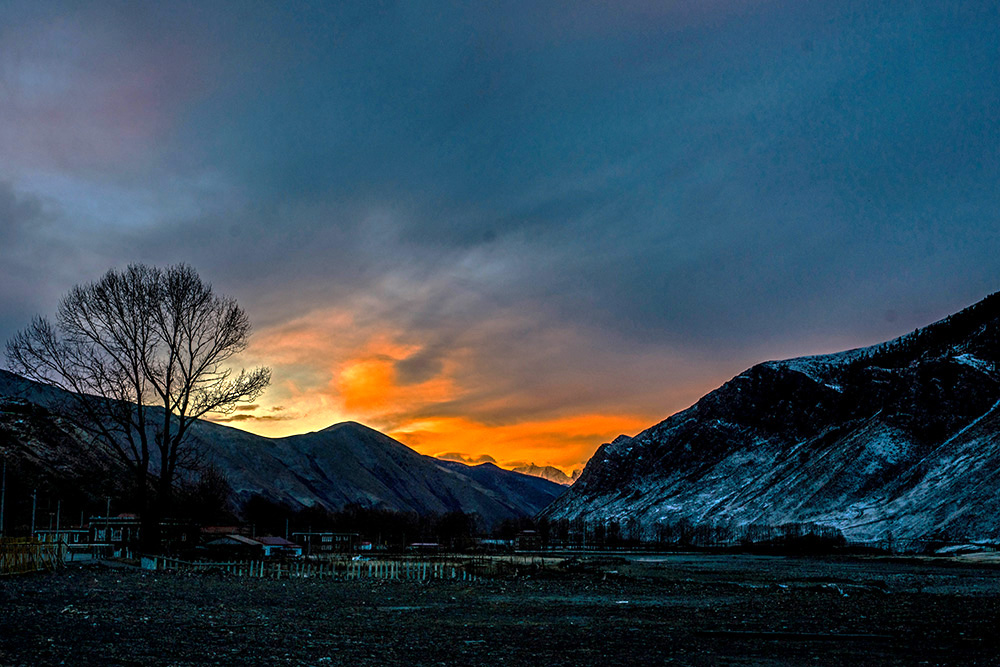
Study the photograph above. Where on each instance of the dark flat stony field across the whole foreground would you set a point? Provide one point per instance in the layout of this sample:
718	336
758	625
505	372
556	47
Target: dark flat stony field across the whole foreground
695	610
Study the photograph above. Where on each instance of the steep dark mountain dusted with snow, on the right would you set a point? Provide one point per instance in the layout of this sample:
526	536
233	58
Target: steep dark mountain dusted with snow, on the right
895	441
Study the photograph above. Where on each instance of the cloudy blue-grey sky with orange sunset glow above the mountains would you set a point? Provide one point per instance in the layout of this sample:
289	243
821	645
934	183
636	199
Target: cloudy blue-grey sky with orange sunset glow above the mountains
508	229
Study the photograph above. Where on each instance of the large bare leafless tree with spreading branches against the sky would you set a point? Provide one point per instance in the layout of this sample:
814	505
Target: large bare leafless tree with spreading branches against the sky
143	354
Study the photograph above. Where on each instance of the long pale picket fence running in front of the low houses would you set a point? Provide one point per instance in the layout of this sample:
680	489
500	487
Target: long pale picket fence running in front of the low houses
324	569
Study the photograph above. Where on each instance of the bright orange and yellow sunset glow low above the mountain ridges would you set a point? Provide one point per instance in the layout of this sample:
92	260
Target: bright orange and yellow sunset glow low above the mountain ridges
332	366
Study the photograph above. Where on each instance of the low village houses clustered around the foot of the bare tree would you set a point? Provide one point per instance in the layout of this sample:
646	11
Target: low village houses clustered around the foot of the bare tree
116	536
